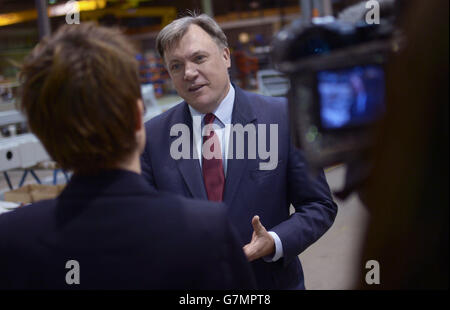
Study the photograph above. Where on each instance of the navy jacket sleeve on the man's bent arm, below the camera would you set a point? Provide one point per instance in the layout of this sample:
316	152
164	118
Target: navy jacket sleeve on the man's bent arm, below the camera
315	209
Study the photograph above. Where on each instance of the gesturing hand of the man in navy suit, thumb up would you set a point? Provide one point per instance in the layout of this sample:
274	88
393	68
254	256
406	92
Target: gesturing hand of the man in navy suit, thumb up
262	243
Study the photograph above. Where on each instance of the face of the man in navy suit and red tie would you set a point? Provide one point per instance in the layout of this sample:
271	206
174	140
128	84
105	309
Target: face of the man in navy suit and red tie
199	69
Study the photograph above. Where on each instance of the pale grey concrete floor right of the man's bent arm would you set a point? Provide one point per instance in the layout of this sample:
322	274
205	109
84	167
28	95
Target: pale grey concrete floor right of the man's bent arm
332	263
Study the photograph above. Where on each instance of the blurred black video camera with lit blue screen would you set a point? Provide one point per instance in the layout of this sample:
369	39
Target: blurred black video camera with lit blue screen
337	76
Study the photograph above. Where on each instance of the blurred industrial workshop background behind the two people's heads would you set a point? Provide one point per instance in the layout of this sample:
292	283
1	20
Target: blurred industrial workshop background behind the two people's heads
249	25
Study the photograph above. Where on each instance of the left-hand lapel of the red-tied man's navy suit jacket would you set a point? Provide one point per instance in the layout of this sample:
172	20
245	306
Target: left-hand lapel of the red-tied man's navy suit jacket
190	168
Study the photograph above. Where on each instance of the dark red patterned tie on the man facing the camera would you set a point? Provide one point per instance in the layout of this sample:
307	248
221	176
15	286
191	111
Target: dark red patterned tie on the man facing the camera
212	169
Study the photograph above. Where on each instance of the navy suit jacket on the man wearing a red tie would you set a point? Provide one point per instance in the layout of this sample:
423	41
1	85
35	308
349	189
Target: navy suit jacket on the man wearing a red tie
248	190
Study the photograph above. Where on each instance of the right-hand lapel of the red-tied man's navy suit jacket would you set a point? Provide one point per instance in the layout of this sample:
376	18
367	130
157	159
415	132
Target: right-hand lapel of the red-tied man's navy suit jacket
242	114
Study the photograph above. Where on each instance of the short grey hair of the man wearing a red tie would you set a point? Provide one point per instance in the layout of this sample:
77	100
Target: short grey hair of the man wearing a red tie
170	35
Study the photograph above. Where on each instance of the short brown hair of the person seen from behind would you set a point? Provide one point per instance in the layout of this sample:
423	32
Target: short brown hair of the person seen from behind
80	89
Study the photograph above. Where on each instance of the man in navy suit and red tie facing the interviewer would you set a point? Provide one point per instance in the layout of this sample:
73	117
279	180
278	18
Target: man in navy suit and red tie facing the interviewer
217	120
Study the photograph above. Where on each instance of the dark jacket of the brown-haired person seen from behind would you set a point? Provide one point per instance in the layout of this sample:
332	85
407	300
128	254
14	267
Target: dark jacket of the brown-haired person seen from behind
124	236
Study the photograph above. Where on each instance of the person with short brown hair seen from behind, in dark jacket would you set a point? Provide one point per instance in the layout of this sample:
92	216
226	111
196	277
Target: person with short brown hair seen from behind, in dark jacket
108	229
